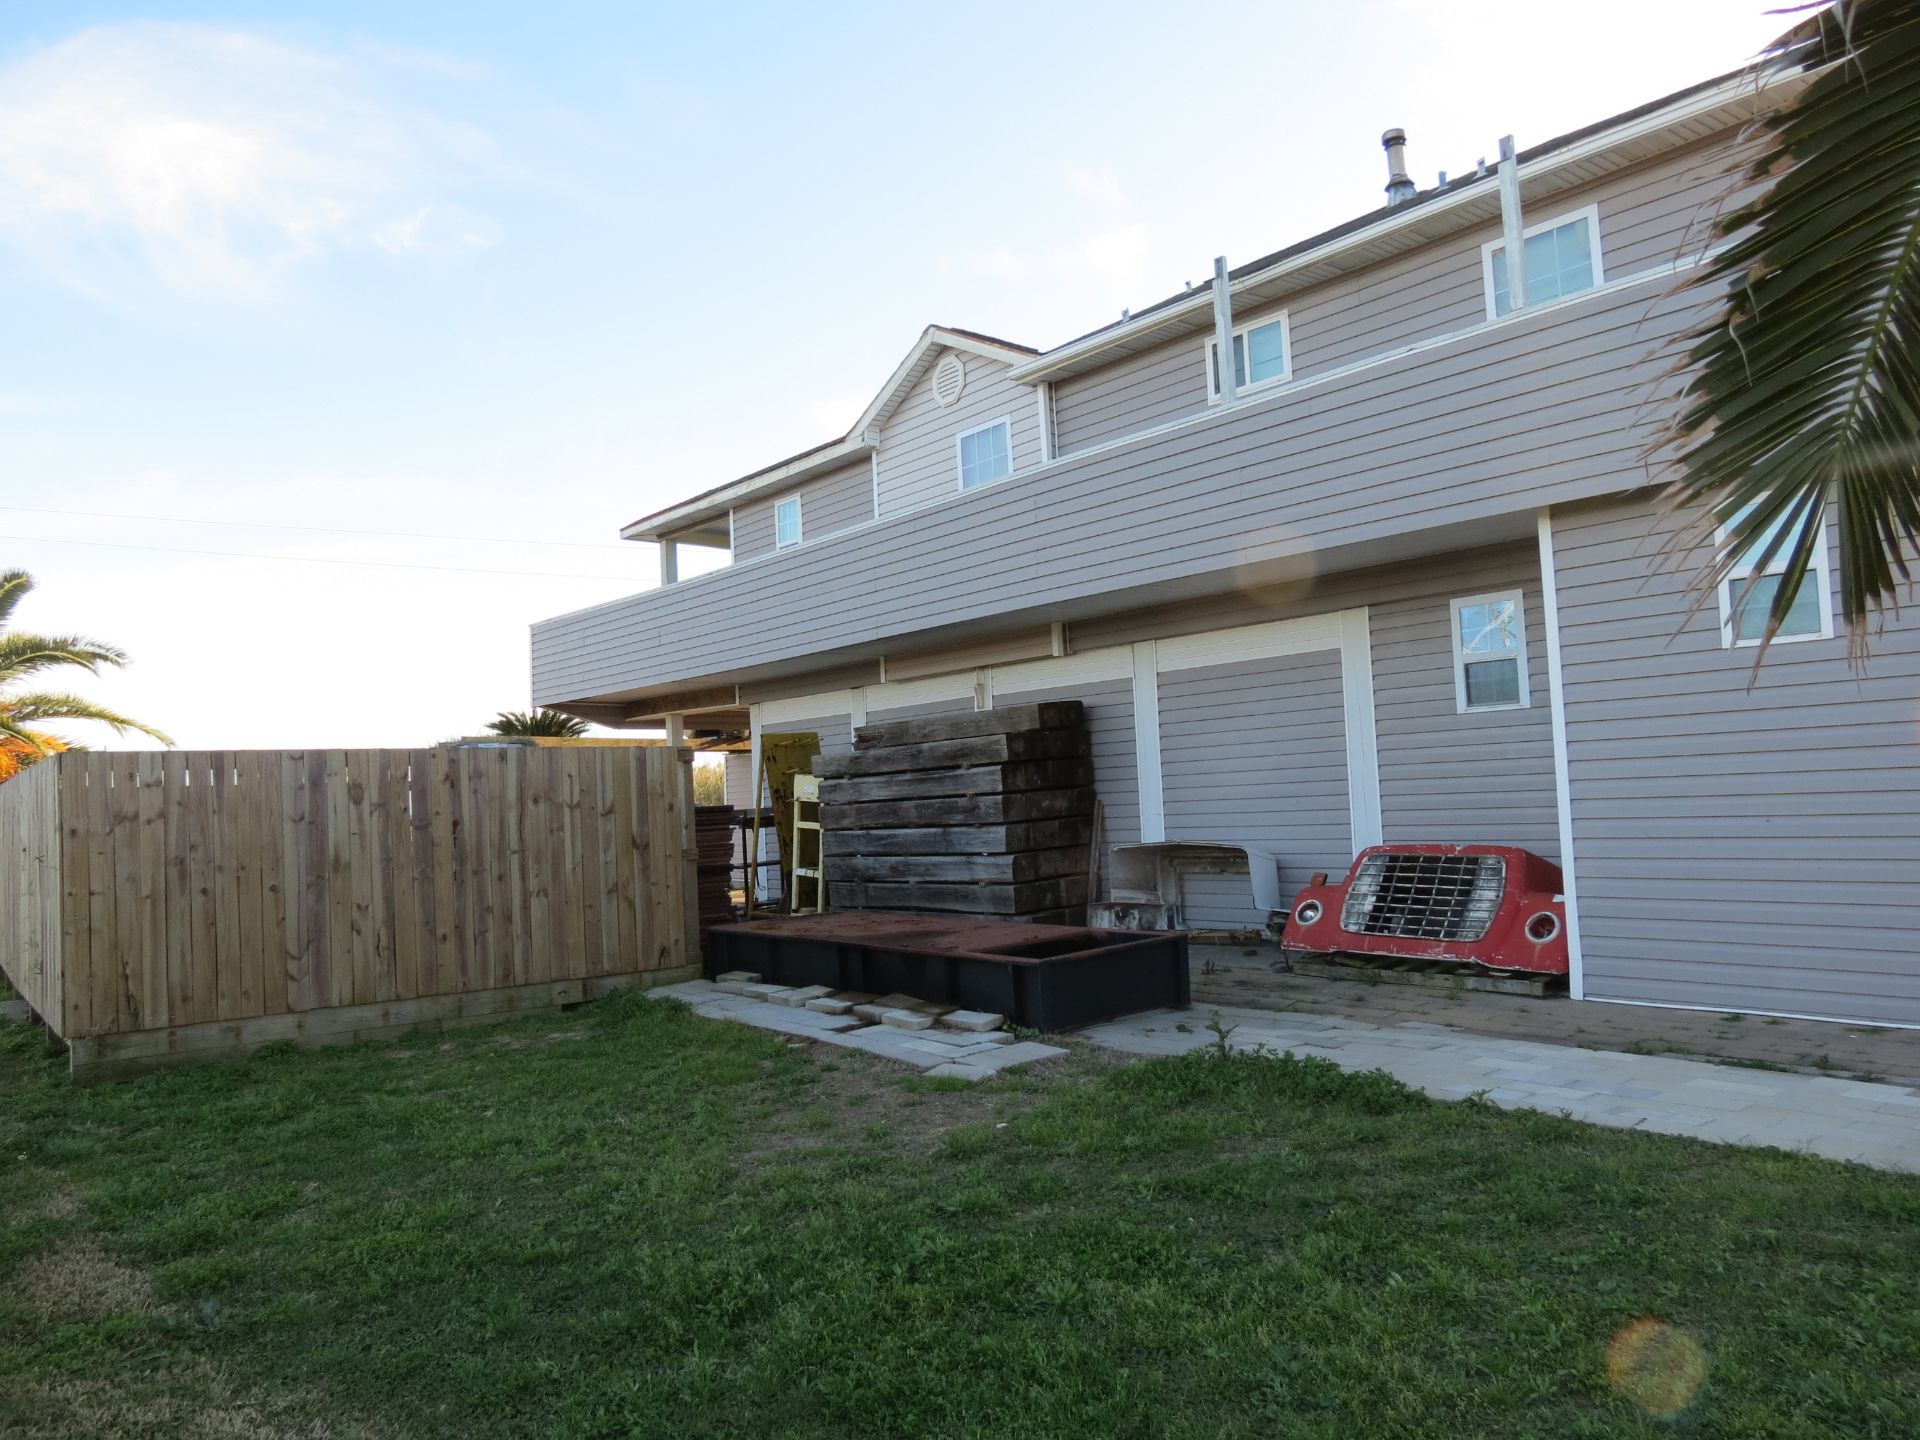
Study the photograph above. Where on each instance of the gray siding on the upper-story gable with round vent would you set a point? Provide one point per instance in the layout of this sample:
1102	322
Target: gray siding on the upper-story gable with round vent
919	444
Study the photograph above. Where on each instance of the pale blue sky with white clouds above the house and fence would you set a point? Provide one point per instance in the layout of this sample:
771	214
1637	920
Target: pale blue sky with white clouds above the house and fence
521	274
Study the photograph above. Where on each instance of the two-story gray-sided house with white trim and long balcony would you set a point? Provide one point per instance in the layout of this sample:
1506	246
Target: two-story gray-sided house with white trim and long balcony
1360	542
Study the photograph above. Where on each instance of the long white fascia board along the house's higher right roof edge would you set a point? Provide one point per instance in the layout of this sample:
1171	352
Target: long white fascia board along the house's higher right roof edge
1740	87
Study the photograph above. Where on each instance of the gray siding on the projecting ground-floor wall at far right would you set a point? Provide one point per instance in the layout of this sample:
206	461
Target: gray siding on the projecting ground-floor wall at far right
1742	850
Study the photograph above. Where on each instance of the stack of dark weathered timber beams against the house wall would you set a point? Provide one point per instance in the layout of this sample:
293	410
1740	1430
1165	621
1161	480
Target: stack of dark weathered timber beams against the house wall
986	813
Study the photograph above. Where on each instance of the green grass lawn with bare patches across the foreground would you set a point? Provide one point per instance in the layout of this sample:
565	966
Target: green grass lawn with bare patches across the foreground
636	1222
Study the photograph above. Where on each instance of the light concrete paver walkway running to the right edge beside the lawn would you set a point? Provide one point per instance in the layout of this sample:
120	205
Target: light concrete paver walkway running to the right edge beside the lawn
1836	1118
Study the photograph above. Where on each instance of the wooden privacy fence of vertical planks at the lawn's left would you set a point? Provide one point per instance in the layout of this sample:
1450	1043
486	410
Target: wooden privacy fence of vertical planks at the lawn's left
164	892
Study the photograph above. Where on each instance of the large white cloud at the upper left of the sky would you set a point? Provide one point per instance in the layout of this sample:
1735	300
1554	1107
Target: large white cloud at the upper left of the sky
214	162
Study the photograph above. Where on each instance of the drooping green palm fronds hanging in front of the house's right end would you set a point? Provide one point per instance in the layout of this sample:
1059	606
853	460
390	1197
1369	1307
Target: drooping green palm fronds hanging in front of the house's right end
1806	381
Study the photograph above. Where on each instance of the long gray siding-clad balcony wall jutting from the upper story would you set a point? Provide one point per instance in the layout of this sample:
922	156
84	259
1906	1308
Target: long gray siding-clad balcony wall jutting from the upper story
1547	408
